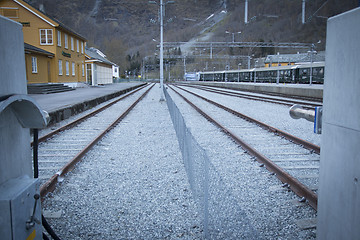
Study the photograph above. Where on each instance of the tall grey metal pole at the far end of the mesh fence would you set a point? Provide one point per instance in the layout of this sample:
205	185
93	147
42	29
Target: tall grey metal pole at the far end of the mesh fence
162	6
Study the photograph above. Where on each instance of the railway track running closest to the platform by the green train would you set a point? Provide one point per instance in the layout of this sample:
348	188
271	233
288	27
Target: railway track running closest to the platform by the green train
307	104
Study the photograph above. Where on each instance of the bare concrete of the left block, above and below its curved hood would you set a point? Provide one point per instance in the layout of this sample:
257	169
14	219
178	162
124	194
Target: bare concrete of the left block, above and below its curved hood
13	137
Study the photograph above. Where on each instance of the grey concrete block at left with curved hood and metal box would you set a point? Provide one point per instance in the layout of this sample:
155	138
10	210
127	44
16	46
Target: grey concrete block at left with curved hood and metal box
20	211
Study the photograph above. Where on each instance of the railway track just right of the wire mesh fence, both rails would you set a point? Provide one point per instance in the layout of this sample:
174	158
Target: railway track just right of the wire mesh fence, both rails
296	165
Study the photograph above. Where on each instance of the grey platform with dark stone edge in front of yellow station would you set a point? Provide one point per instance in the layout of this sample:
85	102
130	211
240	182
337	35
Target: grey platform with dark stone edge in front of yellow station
61	106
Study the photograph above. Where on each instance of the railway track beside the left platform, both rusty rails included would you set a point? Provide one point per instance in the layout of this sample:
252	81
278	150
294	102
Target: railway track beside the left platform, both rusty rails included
59	150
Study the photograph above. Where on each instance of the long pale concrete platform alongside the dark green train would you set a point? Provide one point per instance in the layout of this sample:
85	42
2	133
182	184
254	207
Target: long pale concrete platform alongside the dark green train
301	90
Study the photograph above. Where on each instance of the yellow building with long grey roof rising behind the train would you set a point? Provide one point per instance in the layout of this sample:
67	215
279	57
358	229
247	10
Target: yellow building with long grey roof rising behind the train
291	59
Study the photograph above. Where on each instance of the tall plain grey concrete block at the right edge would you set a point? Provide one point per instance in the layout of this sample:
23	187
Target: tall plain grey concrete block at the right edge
339	191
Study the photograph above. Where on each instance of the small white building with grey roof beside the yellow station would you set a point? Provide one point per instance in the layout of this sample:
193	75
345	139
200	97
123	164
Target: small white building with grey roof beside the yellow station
98	68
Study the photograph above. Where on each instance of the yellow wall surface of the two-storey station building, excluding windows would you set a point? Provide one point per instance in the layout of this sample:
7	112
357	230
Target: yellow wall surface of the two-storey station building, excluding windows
33	22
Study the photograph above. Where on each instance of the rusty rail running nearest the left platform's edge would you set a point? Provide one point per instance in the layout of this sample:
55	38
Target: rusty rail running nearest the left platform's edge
83	118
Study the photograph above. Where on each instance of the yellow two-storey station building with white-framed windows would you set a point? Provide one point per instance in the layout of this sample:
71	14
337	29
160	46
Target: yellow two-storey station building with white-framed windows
57	53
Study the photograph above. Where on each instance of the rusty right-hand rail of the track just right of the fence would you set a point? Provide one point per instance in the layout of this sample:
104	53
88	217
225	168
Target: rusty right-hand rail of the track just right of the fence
290	137
